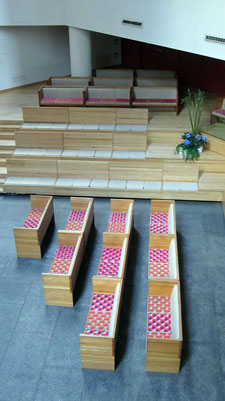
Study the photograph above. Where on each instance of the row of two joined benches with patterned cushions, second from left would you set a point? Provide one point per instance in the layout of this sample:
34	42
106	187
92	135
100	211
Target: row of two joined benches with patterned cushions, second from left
59	283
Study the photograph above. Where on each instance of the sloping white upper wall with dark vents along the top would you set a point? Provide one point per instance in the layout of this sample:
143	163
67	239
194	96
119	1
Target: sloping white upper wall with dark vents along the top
172	23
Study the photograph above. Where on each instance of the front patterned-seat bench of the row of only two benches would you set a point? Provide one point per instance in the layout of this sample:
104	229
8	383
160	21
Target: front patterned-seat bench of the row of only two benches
59	283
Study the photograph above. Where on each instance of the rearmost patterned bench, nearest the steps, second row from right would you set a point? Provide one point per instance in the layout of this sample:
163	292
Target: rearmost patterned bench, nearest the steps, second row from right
121	216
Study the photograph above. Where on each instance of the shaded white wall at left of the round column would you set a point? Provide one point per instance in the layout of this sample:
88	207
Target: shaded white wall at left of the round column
32	54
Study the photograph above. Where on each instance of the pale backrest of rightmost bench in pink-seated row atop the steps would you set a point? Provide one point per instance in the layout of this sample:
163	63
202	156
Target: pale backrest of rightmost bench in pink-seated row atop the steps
155	92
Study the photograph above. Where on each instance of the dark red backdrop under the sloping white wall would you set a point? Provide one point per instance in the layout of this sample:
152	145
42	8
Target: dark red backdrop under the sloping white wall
202	72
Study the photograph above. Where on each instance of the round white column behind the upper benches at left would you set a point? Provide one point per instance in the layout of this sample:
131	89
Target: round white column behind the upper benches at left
80	52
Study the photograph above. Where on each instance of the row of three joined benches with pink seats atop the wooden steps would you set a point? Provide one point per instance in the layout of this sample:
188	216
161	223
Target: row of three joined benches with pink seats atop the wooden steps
164	97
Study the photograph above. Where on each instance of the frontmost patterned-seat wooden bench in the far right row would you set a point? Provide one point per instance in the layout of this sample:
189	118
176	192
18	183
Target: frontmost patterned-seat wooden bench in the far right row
164	327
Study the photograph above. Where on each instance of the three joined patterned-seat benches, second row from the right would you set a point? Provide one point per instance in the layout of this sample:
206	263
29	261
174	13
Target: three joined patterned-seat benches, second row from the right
98	343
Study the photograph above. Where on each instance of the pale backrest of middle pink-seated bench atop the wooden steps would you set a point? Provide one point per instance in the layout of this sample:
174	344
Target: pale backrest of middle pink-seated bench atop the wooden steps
107	92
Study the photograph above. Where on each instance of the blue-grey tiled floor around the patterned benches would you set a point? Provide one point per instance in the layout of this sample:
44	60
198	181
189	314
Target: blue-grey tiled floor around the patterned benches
39	345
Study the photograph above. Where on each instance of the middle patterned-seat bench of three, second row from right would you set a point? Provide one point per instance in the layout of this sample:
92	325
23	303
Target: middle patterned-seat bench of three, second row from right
114	255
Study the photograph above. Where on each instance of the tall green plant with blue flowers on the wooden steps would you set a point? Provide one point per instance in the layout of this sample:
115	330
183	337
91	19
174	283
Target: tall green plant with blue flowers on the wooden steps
194	142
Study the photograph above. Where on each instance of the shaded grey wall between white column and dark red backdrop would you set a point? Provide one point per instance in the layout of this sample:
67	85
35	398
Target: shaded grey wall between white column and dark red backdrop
106	50
